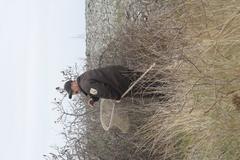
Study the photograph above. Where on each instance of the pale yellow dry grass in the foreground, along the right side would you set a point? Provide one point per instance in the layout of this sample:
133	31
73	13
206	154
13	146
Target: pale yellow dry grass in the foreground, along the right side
206	125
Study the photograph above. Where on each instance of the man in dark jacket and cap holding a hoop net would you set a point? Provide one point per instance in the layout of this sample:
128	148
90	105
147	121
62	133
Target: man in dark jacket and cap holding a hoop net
108	82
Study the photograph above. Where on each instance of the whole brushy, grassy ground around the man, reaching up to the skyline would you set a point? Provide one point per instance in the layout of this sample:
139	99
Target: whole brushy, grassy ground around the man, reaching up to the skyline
195	44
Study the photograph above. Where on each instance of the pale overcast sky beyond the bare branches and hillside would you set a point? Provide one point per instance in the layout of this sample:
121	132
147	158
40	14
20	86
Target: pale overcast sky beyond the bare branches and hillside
36	43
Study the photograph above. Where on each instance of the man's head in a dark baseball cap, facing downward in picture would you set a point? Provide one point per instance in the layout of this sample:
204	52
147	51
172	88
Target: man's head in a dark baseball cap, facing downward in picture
72	88
